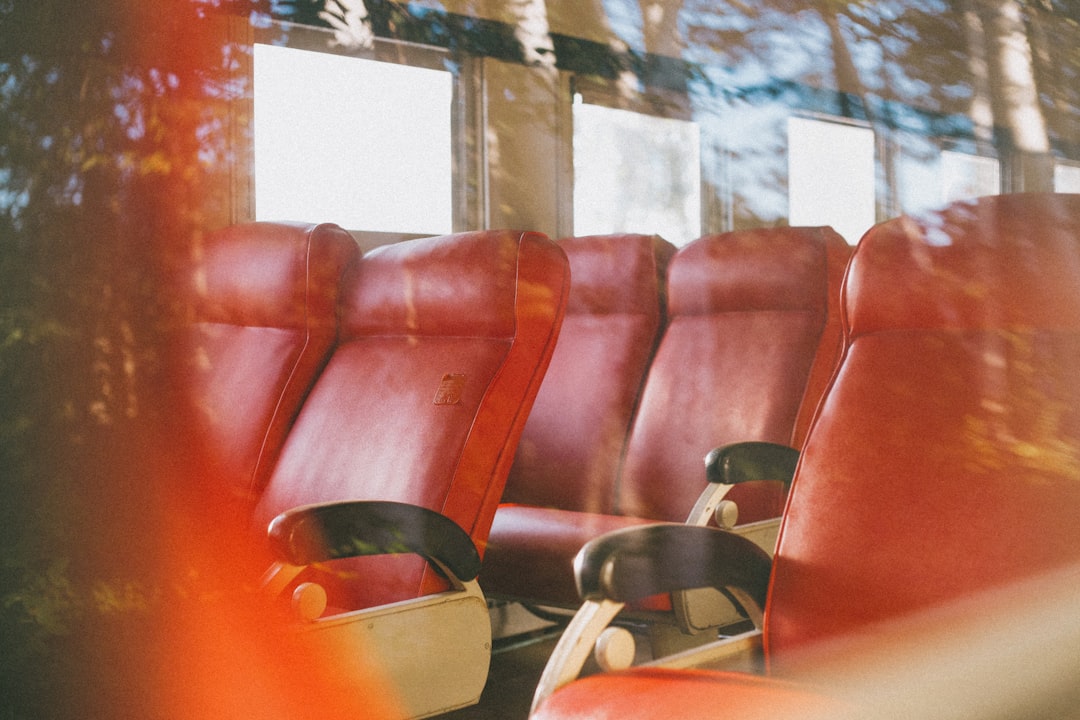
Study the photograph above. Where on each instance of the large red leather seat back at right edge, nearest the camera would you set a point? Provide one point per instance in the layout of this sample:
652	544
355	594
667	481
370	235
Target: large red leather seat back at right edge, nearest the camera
946	458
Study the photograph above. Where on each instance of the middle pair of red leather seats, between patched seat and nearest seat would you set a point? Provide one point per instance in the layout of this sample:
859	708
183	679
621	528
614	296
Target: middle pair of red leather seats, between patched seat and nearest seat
665	356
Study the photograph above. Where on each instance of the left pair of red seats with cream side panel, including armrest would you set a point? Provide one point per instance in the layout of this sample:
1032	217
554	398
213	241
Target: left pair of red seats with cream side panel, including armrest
359	416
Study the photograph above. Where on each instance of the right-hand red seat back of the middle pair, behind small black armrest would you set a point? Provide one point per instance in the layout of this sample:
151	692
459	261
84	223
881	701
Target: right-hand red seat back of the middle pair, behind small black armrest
746	315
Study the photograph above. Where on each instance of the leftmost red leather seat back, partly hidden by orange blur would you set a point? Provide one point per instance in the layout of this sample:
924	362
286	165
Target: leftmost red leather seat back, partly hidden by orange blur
261	301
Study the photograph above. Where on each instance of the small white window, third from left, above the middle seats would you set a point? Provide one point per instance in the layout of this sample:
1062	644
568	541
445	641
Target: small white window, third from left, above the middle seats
831	176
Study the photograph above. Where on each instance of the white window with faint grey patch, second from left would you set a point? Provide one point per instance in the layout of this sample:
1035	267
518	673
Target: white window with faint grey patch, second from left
636	173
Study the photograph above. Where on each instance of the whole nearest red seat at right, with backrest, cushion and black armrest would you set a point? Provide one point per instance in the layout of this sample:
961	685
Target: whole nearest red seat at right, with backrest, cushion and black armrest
943	465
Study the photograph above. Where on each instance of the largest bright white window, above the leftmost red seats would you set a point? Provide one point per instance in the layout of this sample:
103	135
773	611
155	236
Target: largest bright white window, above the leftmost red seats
357	142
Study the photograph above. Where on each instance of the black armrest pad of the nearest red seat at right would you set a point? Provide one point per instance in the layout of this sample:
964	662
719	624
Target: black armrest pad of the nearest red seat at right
634	563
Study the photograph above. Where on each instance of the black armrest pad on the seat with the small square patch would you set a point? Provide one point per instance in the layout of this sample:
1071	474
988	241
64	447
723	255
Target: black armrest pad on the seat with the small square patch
330	532
